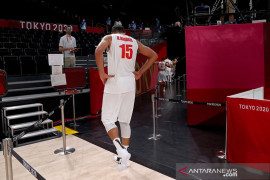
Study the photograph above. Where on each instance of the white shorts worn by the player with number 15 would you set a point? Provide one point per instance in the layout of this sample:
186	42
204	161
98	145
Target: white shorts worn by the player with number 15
117	106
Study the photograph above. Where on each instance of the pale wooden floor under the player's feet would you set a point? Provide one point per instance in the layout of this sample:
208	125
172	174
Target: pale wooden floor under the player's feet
88	162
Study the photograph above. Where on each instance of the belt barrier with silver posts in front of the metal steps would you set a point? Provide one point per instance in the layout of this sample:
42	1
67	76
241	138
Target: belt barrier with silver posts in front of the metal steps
8	151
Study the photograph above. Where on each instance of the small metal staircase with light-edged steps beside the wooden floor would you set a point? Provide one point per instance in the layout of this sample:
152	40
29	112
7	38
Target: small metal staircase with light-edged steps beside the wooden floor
16	119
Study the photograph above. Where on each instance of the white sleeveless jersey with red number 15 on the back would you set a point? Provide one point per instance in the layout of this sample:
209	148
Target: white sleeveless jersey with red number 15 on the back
121	59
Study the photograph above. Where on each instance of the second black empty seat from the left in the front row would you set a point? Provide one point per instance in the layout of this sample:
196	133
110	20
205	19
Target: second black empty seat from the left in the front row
28	65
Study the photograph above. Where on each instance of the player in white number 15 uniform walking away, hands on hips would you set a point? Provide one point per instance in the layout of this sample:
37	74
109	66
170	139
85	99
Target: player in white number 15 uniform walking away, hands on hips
120	86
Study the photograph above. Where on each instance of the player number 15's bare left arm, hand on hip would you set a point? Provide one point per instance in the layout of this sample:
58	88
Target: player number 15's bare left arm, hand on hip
104	44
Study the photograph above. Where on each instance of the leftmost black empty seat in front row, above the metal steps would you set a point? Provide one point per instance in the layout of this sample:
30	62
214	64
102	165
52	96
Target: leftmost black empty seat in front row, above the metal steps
12	65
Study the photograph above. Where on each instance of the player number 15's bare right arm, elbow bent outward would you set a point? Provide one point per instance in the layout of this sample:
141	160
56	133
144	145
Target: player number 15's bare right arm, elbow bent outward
150	54
